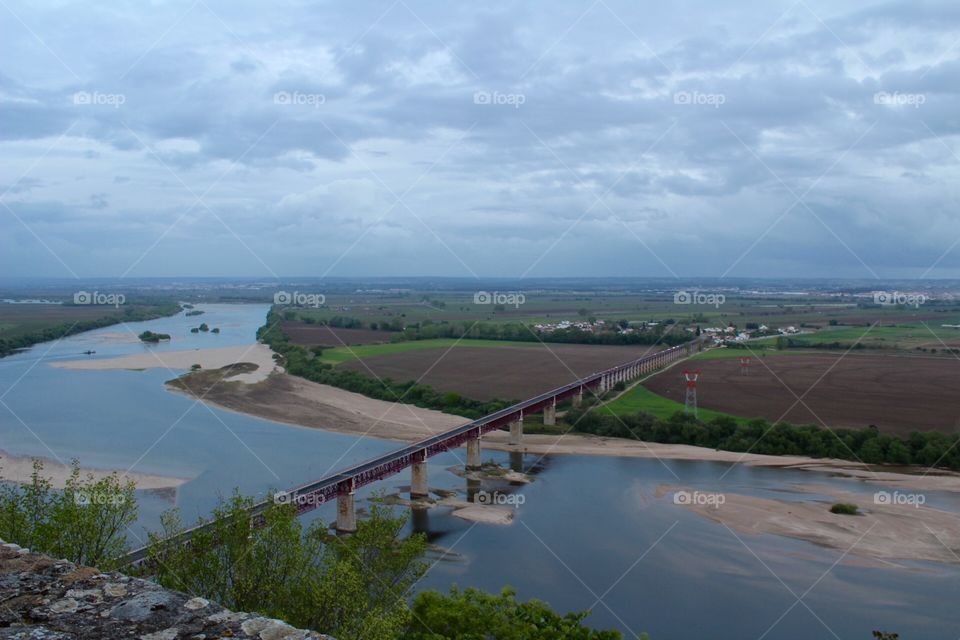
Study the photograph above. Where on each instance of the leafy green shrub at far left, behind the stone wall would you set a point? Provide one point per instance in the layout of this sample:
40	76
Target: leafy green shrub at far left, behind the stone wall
86	522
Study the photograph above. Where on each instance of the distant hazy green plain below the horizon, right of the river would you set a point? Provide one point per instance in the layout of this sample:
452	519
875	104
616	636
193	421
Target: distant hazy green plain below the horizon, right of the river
812	309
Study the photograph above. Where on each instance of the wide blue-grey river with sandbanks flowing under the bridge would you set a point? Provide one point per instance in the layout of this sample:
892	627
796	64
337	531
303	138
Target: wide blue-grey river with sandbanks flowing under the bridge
590	534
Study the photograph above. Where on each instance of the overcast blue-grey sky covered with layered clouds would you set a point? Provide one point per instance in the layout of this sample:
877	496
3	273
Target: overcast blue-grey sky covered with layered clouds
742	138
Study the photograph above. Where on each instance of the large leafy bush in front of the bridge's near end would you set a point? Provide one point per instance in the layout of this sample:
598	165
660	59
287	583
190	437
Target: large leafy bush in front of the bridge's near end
351	587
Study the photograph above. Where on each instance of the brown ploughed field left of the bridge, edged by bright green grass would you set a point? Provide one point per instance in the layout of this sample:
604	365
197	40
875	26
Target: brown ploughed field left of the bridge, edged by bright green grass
510	373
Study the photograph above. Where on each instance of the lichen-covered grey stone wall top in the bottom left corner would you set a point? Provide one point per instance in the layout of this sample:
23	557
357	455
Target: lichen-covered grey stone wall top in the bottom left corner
46	599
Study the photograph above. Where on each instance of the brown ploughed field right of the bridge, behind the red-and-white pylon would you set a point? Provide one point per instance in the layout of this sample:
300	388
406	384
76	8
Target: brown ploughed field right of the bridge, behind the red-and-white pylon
897	394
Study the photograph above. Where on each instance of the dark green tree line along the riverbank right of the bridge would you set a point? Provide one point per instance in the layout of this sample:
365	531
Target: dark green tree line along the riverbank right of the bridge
928	448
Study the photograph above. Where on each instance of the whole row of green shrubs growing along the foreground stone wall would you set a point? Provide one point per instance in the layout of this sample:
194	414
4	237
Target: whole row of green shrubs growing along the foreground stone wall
352	587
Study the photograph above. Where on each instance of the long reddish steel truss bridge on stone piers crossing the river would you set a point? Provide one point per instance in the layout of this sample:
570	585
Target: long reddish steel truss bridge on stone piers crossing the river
343	485
